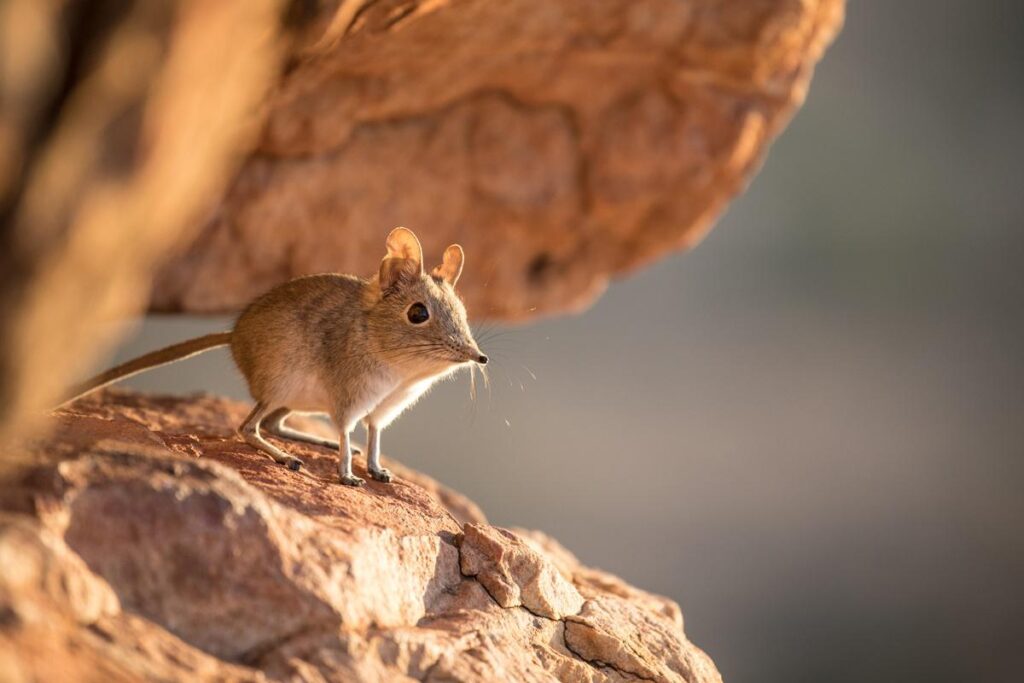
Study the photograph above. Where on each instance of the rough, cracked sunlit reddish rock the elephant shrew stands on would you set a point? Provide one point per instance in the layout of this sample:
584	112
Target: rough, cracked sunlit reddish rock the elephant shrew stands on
155	544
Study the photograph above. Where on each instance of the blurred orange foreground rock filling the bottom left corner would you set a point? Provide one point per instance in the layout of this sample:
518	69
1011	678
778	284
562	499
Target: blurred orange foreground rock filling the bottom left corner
60	622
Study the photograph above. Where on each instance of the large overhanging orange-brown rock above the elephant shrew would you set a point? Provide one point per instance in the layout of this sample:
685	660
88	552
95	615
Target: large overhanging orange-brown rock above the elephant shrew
562	144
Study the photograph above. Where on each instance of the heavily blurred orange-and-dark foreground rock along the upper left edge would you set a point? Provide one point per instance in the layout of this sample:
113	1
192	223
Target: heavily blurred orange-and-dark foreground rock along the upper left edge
120	124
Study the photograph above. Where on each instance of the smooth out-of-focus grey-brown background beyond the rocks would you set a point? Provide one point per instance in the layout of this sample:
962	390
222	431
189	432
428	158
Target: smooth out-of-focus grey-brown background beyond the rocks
806	431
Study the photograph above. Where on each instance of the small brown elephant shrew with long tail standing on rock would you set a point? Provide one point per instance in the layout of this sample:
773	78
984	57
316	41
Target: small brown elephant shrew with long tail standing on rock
353	349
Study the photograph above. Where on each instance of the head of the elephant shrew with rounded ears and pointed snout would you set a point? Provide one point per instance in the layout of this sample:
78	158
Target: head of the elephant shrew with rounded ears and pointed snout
419	319
